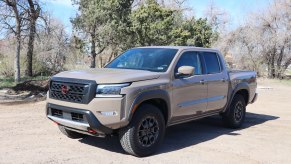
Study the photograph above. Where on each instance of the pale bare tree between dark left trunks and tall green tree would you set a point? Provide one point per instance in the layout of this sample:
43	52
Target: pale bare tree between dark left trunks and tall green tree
52	48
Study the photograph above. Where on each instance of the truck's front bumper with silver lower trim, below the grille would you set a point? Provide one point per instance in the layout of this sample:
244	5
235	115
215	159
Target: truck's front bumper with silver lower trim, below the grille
66	116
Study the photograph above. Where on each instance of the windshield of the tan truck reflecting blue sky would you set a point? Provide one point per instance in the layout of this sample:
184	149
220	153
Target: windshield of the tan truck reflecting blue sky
151	59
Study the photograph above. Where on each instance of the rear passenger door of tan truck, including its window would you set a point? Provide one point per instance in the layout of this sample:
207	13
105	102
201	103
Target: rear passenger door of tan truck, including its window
217	80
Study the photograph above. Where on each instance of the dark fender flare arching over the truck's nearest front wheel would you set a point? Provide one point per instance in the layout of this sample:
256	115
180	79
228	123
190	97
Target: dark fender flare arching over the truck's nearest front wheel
148	95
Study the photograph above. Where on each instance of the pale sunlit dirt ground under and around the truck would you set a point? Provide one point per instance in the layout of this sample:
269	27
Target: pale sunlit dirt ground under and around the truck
27	136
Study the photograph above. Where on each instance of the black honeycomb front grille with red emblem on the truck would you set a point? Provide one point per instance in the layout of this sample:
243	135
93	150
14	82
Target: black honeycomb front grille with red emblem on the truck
72	92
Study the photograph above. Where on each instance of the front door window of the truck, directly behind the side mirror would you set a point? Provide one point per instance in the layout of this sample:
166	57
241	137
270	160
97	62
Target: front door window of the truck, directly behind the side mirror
190	58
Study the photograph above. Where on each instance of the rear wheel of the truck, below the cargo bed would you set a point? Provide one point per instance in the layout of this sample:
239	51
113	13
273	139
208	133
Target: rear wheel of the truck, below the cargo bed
235	115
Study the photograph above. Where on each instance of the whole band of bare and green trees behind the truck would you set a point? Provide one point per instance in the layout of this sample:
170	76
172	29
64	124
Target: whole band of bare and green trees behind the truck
34	43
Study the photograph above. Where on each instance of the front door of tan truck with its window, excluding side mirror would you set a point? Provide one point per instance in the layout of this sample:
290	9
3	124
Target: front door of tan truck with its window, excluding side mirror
189	93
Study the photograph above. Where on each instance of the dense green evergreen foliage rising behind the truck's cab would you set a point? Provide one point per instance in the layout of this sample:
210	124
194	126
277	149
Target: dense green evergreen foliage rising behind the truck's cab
116	25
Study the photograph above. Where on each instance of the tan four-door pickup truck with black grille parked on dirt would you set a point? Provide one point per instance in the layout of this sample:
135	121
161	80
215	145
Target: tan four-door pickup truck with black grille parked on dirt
146	89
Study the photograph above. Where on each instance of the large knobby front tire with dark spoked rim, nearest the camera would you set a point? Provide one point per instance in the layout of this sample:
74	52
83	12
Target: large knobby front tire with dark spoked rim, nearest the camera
135	139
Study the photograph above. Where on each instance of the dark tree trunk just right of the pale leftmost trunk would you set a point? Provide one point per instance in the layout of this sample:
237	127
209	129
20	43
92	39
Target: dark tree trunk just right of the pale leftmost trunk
30	47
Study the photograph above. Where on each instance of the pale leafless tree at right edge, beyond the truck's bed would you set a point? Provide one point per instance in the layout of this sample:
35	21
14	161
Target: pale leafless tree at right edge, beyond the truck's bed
264	41
